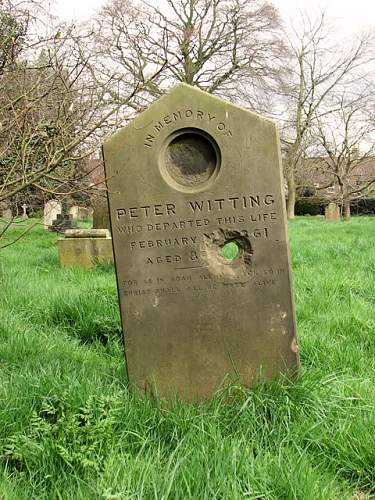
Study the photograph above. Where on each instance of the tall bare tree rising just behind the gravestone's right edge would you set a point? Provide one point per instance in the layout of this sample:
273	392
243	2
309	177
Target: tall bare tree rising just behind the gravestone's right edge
320	69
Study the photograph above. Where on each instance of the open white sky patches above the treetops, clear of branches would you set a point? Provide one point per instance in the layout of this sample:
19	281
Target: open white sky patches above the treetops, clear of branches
350	15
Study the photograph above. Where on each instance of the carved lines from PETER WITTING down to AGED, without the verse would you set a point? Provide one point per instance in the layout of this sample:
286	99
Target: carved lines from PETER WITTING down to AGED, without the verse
133	220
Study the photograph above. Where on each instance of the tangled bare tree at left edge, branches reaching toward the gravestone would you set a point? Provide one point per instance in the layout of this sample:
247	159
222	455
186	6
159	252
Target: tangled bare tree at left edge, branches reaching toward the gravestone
52	113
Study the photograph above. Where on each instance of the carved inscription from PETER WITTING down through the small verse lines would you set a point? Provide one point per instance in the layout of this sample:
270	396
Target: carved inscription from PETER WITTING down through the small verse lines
181	243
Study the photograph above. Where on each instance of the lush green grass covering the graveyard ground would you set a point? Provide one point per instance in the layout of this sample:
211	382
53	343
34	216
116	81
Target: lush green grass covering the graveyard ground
70	429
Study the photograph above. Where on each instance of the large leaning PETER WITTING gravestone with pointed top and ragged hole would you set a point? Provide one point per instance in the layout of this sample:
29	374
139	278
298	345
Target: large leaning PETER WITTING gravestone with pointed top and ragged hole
199	231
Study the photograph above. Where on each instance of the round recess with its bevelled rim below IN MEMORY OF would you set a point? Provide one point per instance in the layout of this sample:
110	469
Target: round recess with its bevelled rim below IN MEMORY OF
190	160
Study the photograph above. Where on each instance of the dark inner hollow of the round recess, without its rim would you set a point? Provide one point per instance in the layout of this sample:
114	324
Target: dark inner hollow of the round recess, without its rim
190	159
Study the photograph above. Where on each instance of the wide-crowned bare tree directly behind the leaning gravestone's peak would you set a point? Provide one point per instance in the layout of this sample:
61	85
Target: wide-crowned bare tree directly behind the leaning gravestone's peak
232	48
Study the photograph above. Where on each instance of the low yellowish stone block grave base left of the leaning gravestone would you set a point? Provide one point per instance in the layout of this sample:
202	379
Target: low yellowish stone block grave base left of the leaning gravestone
83	250
